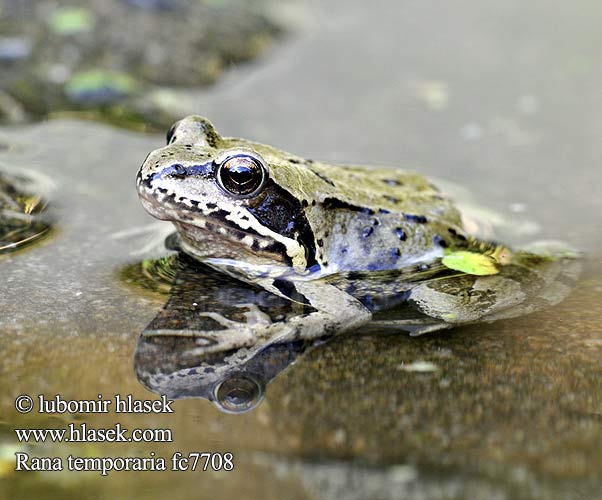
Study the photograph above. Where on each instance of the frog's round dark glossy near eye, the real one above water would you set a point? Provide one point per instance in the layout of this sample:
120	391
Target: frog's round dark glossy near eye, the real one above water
241	174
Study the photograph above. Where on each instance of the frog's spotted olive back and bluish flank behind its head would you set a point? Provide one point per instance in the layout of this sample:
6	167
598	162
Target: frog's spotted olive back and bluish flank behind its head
365	218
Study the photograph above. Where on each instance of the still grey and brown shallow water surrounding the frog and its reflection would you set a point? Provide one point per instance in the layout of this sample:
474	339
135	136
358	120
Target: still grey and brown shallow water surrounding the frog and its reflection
504	101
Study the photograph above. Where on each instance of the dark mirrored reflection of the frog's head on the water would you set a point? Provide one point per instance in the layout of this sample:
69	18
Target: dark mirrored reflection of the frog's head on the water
179	366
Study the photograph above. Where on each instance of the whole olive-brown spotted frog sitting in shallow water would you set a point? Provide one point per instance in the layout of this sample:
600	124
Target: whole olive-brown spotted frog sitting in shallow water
350	245
